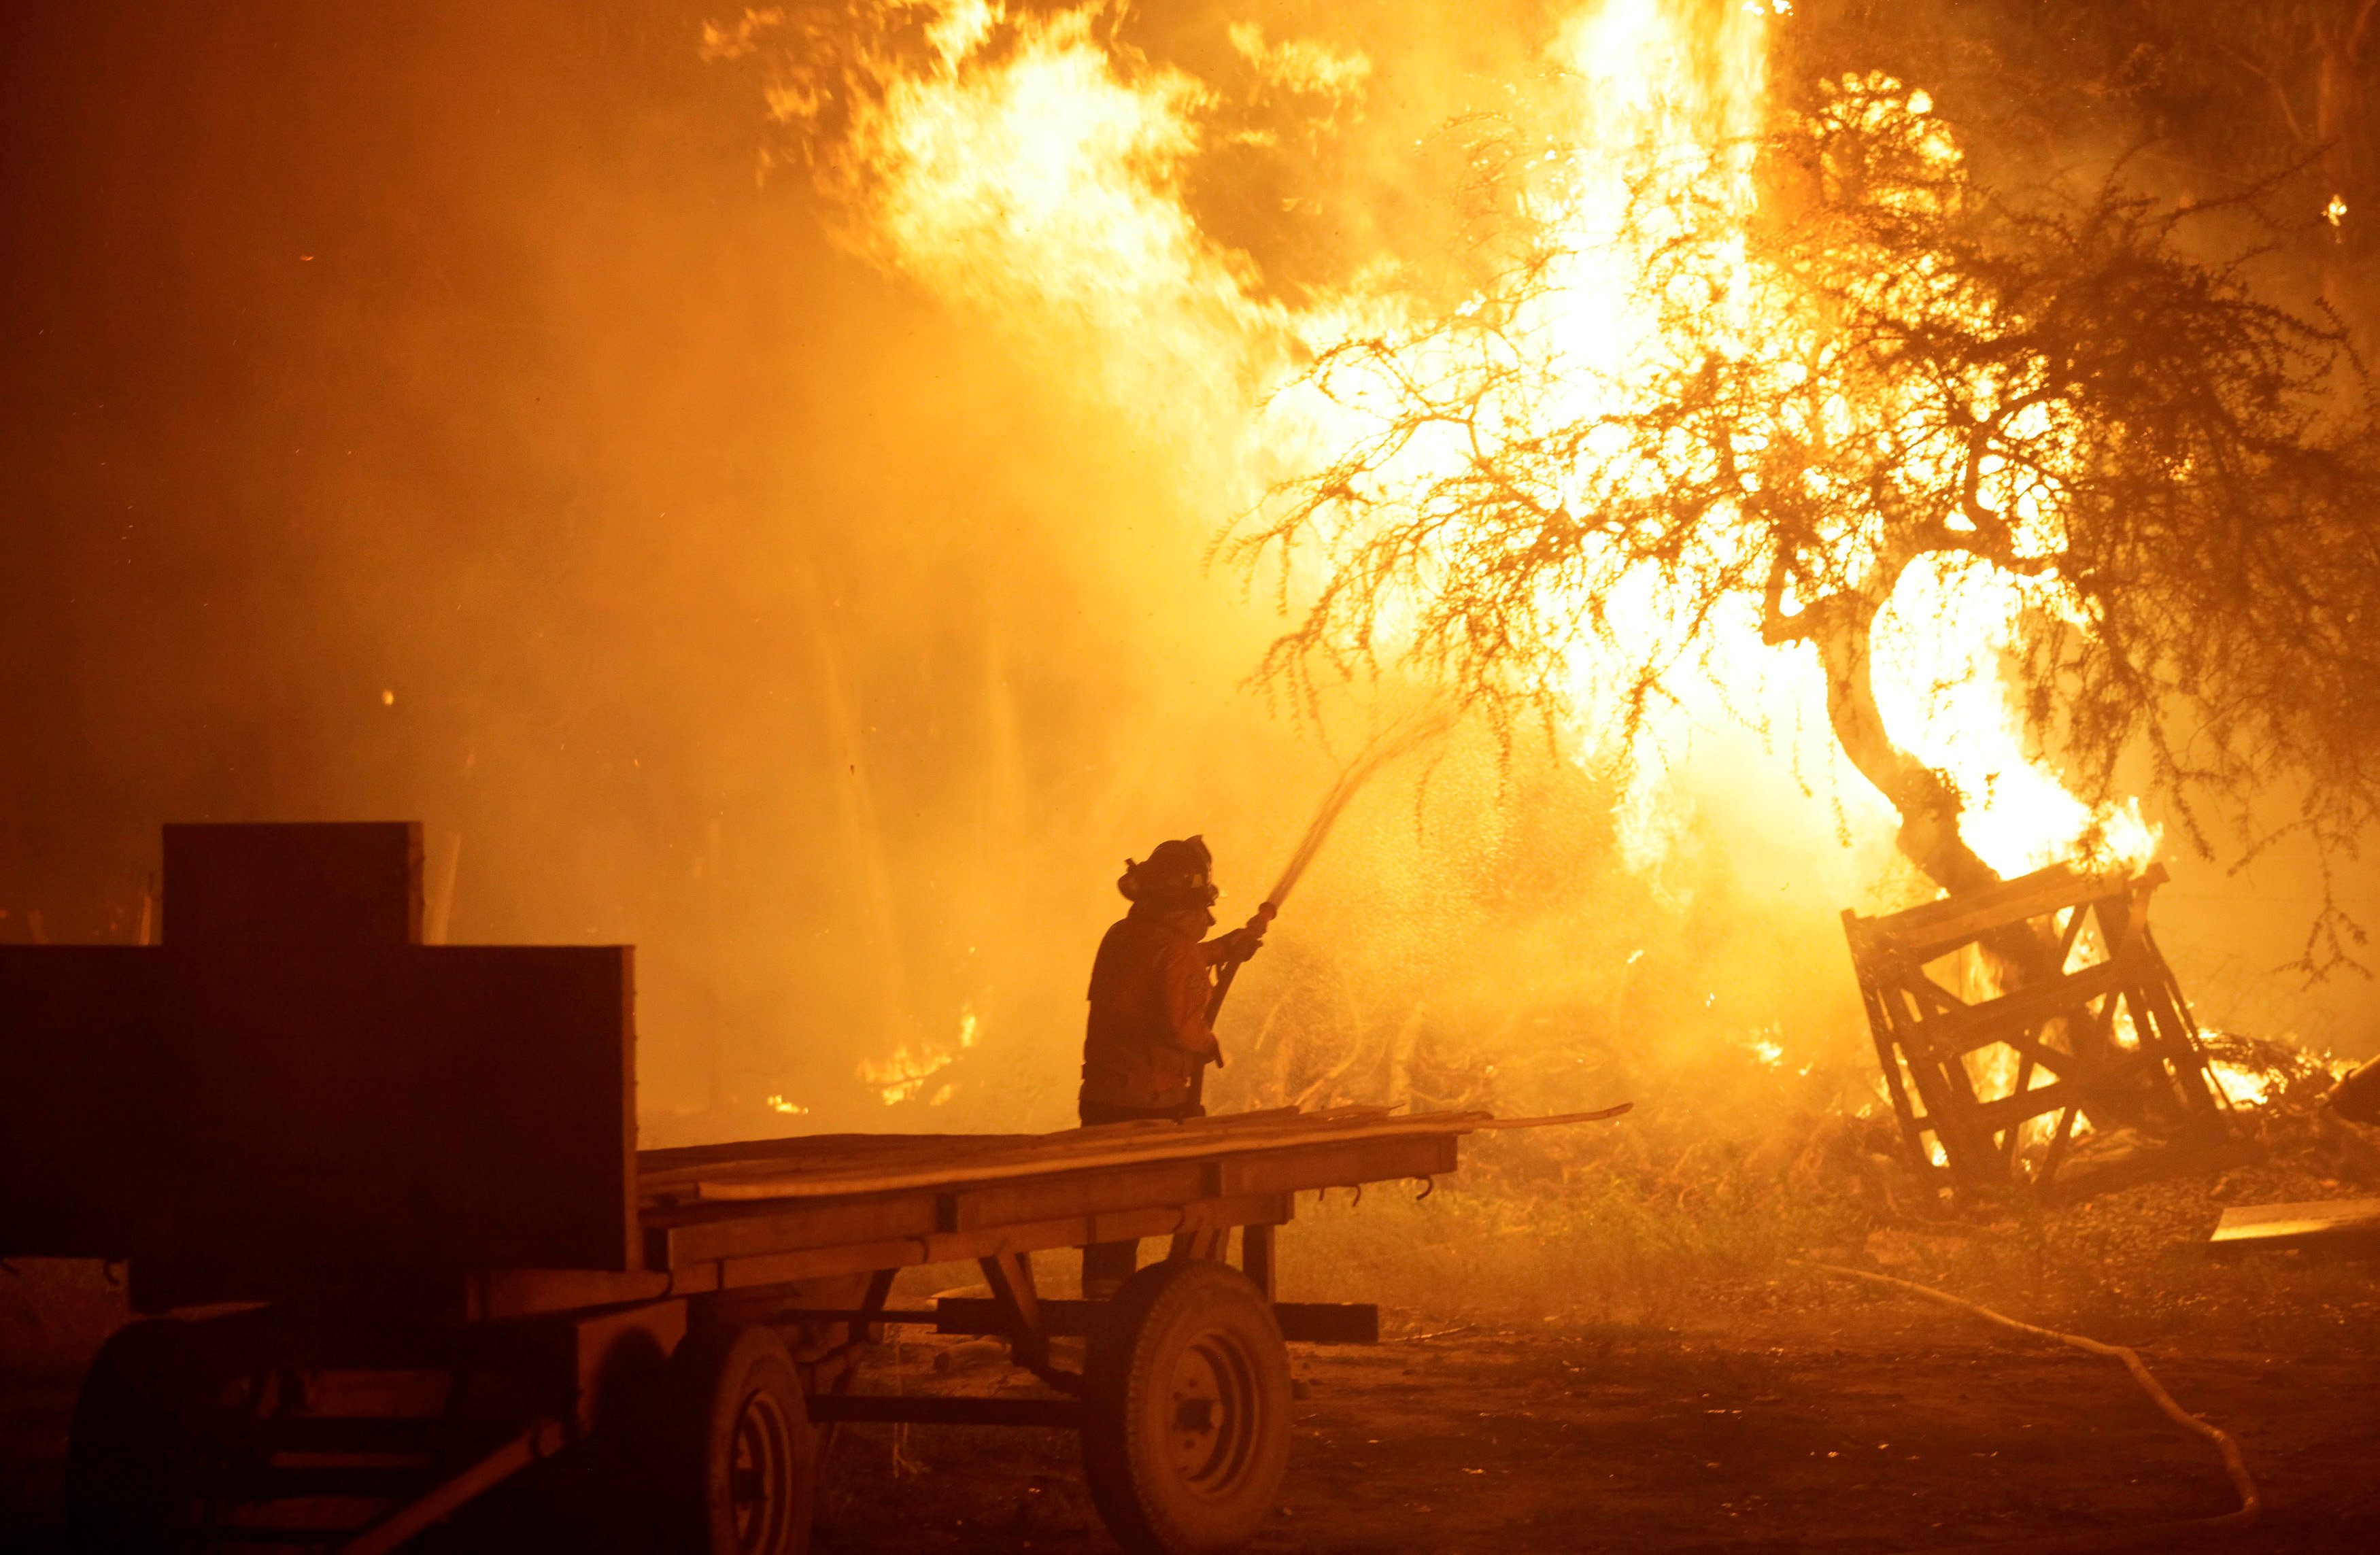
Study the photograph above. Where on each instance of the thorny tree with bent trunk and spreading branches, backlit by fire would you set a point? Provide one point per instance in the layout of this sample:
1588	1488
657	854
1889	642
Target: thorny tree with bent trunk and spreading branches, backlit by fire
1767	387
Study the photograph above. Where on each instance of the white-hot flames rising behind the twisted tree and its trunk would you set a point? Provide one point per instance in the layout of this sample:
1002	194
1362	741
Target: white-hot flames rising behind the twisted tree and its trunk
1660	137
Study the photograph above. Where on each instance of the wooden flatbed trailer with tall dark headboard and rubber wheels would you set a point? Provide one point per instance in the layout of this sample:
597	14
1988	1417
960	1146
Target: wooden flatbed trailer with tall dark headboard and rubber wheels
394	1242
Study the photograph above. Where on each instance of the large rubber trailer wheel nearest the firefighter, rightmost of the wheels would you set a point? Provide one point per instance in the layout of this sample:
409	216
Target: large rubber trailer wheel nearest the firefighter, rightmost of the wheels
1189	1411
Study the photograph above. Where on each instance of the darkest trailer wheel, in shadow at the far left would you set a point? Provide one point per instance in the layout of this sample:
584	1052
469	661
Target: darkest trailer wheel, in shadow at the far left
132	1461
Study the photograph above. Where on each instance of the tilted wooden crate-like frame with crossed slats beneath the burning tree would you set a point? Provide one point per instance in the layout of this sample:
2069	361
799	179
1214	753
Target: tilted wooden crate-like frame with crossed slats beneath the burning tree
2098	1030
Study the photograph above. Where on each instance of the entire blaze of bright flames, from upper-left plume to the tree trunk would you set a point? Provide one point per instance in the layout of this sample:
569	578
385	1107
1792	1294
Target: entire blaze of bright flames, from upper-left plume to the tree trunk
1034	168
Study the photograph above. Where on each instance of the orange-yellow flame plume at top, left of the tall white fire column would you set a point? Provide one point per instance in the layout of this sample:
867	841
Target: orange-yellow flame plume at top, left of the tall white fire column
1029	170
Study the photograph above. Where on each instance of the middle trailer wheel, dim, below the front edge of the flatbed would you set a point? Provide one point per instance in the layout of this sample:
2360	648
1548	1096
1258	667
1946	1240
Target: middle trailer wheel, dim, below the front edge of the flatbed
739	1459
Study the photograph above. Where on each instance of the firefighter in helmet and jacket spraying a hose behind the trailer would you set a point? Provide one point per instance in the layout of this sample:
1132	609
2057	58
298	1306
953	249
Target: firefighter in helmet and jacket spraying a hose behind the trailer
1148	1032
